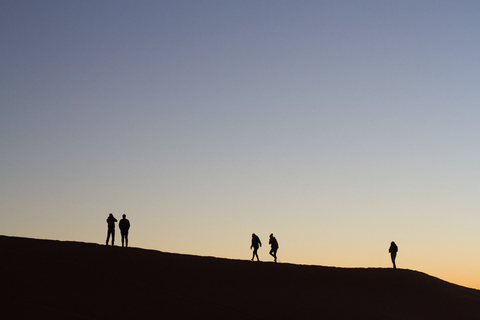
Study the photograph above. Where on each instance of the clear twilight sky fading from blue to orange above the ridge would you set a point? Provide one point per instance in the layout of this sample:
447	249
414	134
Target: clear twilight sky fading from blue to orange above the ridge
338	126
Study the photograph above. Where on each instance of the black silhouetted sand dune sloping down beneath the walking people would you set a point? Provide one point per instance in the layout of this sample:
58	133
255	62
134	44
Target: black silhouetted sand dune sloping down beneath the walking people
44	279
